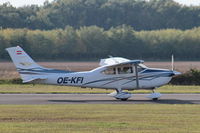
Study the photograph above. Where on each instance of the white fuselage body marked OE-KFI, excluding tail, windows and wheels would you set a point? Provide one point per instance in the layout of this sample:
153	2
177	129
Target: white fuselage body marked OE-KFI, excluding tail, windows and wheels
148	79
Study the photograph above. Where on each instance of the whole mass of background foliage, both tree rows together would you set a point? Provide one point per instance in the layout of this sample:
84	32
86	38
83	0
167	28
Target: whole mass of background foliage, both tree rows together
92	29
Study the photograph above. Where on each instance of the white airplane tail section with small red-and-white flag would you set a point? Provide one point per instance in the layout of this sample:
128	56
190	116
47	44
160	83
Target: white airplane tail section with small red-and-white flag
24	64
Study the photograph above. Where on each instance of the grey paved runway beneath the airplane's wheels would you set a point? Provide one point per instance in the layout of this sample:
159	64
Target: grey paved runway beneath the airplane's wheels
95	99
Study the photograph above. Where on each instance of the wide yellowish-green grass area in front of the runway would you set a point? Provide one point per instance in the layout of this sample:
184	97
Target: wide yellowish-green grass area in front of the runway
87	118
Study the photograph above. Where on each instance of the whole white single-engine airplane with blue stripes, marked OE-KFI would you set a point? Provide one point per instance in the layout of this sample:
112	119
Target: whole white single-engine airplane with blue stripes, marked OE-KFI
113	73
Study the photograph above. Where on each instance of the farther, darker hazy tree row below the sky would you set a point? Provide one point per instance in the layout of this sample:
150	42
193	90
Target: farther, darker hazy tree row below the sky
140	14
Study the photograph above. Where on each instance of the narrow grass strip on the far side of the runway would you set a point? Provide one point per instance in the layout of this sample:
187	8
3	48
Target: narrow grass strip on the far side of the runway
29	88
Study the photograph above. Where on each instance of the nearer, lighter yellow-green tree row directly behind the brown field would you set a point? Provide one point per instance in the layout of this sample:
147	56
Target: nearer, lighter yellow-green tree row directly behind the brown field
91	43
